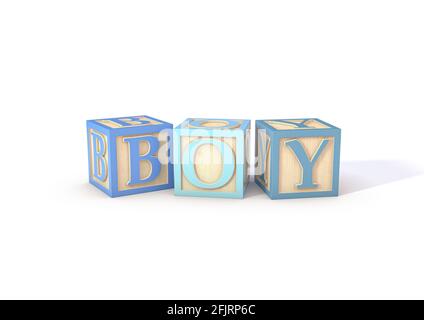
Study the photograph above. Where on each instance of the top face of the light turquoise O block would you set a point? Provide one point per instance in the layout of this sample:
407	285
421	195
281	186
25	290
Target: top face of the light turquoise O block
214	124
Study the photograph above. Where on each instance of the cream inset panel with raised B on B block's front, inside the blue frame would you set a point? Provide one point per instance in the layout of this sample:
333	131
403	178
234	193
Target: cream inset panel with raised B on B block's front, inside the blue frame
142	161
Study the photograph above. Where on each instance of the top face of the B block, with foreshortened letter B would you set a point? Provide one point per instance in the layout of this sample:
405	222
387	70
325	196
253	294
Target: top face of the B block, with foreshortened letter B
129	122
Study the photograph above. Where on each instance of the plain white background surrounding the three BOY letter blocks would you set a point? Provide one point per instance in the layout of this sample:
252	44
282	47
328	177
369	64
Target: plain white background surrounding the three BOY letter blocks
356	64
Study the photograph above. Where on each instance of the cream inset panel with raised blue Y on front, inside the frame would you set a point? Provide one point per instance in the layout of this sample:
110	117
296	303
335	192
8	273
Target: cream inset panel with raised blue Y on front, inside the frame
306	164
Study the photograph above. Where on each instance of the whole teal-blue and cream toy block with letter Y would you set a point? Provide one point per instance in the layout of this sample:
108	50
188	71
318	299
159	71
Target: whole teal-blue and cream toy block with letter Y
297	158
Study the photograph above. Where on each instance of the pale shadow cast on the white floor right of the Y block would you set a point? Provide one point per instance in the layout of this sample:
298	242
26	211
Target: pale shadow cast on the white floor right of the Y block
361	175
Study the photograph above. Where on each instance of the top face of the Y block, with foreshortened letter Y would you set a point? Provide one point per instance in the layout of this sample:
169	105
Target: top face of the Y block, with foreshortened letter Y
297	124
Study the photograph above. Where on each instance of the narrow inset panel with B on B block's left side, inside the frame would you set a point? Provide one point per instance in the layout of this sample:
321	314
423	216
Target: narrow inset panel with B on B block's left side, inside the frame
99	158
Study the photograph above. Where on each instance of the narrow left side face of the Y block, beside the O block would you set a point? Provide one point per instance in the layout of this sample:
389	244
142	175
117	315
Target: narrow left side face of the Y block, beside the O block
263	156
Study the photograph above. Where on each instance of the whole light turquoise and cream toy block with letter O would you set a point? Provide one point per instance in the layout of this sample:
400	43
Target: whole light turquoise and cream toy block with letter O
210	158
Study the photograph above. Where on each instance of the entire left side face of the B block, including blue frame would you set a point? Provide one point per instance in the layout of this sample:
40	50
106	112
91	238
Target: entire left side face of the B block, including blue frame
99	157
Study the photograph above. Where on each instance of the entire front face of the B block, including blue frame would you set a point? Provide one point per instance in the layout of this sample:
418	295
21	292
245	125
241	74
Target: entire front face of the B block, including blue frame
142	162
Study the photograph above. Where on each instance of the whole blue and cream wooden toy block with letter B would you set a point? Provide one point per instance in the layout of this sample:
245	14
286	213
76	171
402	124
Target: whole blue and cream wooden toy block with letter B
130	155
